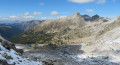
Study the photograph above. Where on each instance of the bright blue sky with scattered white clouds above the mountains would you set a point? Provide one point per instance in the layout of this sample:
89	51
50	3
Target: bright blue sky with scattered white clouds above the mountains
30	9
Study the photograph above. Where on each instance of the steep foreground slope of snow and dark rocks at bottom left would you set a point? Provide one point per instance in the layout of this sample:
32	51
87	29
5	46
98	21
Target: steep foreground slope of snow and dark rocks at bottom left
8	55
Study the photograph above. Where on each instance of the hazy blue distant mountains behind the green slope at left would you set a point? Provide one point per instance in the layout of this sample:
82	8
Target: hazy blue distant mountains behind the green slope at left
10	30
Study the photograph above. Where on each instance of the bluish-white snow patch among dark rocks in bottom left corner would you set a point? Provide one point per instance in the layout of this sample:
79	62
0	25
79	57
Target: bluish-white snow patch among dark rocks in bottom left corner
18	60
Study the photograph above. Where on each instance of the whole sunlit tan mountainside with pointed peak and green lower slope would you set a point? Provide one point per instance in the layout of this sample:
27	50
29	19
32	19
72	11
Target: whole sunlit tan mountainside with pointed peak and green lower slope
72	29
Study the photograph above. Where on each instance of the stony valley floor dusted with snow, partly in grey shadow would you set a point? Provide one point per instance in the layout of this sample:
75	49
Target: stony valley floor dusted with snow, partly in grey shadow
73	55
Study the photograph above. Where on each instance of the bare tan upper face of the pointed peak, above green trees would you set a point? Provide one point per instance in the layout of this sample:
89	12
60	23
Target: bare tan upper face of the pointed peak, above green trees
56	25
